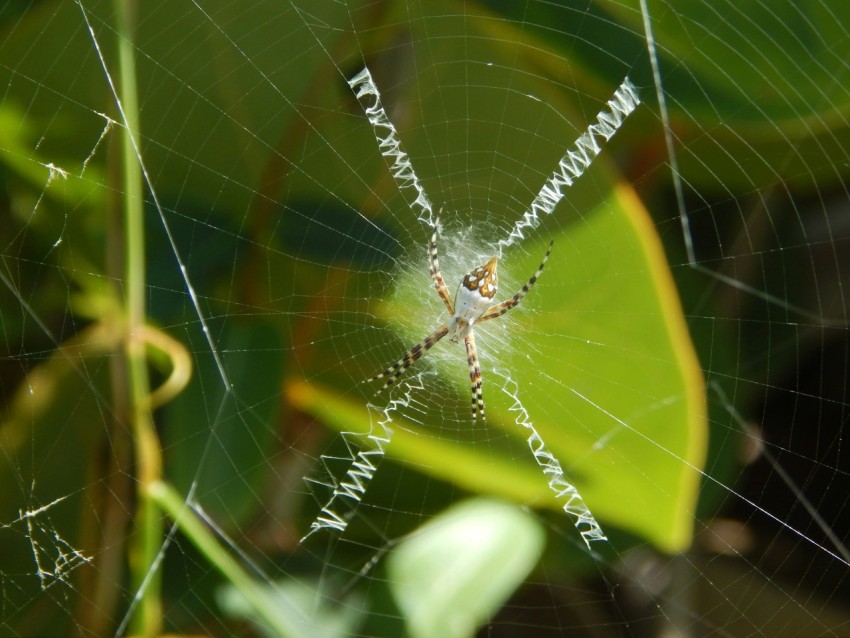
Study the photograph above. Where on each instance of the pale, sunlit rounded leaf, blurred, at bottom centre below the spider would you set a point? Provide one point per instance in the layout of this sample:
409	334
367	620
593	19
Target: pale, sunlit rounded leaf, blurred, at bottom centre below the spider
457	570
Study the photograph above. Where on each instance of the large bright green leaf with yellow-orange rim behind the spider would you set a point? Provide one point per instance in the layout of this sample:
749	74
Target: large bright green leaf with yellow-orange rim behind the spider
602	363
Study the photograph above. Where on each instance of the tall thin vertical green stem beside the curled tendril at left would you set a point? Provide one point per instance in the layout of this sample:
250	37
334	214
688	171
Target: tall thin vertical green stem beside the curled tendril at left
147	540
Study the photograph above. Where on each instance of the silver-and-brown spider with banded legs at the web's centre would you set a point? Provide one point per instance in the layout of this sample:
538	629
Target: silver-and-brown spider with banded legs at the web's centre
471	304
